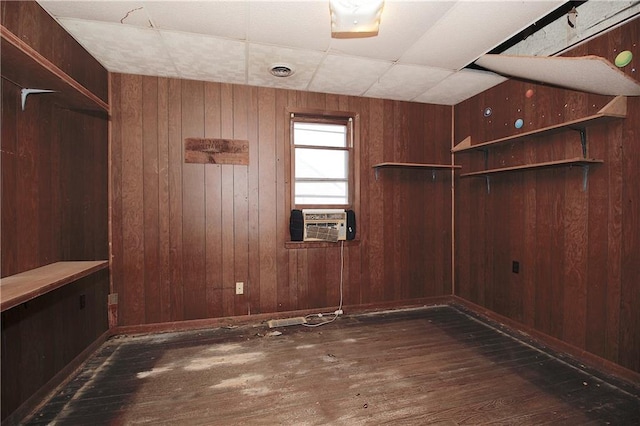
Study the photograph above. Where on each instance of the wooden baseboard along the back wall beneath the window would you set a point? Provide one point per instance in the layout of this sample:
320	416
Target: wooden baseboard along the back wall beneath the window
168	327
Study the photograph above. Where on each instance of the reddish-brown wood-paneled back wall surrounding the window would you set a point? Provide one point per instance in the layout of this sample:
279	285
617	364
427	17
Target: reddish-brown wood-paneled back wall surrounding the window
183	234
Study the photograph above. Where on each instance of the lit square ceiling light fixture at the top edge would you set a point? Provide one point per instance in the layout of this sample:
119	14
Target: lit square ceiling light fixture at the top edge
355	18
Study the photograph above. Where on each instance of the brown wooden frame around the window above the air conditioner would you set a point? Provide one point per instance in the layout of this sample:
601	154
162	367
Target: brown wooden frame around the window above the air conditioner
326	117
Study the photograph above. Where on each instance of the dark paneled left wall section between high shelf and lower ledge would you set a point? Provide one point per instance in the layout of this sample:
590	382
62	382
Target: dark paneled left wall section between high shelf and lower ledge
54	184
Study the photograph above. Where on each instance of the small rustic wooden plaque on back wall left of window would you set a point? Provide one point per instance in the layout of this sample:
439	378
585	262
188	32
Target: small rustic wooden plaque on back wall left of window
216	151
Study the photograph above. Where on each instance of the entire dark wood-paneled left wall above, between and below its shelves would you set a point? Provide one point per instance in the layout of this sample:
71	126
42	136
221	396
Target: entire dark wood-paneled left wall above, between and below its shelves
54	207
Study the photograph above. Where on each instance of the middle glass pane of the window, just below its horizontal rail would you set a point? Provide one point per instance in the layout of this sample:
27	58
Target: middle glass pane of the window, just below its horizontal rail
321	163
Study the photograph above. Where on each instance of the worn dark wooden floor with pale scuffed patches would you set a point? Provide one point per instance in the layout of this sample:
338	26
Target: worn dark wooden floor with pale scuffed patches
428	366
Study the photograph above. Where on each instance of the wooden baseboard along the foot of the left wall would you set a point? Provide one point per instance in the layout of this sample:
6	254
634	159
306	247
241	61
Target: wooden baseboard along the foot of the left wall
61	378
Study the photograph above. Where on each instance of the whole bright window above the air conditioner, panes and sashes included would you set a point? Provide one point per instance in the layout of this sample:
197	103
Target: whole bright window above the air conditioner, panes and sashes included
322	161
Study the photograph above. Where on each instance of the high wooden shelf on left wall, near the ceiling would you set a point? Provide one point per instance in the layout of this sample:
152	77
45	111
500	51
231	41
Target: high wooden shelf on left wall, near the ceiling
27	68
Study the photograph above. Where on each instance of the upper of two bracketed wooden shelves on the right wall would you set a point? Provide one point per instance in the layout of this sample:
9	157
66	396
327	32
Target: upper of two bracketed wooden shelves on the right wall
616	109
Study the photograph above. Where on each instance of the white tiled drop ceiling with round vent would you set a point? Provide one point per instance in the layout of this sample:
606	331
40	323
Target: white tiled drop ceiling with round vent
421	54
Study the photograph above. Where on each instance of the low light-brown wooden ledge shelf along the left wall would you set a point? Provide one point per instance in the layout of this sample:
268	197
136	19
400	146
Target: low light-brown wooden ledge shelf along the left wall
25	286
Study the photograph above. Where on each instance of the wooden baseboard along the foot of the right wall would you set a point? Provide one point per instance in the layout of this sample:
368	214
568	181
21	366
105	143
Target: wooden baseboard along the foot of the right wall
581	356
